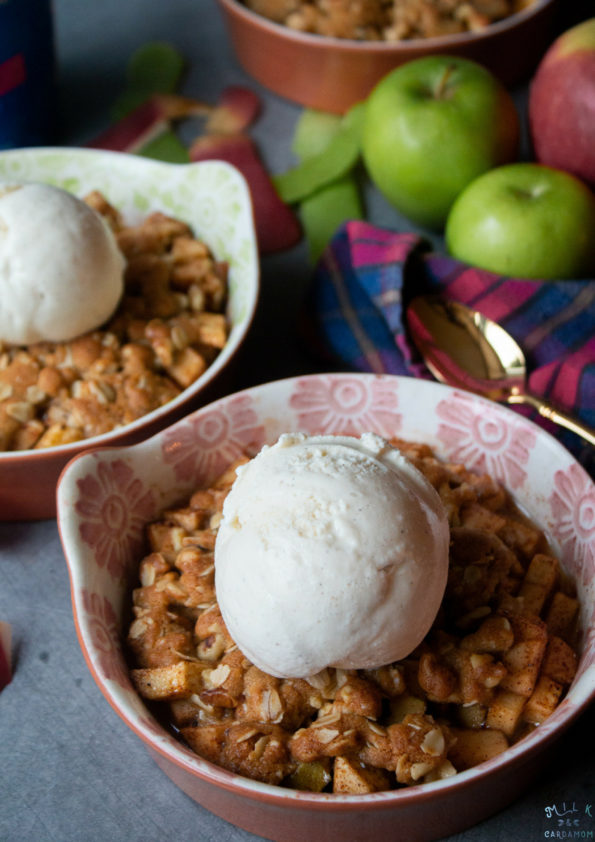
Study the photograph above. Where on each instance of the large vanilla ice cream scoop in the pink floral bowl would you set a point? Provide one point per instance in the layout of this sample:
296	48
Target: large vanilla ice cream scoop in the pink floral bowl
332	551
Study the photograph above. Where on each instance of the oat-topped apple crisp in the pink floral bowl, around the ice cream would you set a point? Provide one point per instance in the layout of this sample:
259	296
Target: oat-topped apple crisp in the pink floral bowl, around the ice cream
497	661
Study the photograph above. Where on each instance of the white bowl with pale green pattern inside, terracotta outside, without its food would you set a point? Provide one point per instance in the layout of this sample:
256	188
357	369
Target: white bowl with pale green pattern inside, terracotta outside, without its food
213	198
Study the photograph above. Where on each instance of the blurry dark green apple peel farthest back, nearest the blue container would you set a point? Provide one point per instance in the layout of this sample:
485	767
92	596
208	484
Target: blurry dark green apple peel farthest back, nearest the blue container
154	68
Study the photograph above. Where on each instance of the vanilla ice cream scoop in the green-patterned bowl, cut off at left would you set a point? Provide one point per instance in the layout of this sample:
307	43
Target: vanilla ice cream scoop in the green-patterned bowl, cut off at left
61	272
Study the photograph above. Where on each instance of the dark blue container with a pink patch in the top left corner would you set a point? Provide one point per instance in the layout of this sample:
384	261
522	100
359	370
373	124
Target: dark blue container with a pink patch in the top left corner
27	73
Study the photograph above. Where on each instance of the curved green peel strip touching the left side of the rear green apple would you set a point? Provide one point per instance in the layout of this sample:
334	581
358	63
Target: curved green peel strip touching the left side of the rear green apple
335	160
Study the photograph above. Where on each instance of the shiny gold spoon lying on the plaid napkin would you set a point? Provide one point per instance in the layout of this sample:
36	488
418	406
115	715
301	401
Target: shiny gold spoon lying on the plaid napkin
463	348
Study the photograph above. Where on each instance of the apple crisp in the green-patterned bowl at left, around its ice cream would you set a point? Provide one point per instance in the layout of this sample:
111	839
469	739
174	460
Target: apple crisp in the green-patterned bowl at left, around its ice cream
168	328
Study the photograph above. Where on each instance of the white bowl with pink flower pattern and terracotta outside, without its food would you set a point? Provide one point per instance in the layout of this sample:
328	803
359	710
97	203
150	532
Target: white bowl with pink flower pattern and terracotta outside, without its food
106	496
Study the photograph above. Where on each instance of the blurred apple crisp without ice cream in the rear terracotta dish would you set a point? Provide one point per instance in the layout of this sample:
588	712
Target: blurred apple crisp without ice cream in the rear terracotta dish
386	20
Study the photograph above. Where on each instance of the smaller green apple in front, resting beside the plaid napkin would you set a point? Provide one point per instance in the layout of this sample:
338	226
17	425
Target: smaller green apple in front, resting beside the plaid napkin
526	220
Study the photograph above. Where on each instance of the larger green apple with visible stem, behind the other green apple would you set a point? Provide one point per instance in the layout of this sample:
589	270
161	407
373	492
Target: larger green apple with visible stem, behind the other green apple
431	126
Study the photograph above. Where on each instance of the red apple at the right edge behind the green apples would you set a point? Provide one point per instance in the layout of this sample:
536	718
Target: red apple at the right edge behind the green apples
562	103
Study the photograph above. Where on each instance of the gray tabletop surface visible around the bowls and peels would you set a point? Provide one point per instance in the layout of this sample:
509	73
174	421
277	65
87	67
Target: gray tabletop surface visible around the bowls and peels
70	769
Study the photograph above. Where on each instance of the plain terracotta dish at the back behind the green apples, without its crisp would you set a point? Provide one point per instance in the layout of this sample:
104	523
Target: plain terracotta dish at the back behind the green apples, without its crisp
332	74
